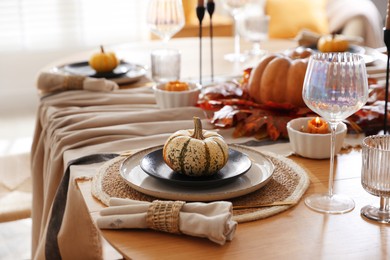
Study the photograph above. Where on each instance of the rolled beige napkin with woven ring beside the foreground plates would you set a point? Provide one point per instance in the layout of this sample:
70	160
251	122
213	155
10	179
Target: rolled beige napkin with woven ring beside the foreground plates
209	220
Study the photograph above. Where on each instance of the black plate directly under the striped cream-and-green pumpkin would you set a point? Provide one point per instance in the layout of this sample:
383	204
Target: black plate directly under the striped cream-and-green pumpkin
238	164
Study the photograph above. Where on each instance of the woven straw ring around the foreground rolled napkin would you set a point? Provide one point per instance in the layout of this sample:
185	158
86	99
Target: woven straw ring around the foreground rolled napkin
164	216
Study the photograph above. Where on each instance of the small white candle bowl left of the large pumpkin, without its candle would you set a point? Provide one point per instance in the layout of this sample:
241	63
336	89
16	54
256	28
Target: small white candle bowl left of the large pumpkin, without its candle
171	99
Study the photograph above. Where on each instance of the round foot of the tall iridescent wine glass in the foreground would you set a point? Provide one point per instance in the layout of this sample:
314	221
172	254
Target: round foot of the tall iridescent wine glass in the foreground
335	204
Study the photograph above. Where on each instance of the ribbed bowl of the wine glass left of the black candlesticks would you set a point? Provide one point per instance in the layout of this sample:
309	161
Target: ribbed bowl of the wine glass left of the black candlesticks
165	18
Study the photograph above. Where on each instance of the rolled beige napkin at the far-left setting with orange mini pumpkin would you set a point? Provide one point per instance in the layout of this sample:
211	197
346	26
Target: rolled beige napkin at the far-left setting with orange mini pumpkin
53	82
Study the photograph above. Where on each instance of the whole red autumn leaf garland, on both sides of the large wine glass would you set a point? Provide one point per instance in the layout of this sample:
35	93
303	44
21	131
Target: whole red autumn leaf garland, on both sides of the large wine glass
229	105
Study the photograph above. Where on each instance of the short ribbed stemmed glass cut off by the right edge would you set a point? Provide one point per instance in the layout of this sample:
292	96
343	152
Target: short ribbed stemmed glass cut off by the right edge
376	176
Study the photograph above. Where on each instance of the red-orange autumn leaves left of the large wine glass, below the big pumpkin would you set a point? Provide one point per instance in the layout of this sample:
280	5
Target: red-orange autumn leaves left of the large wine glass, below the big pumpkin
231	106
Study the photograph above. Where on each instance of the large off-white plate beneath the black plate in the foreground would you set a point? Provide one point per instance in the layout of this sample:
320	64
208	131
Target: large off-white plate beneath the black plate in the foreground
258	175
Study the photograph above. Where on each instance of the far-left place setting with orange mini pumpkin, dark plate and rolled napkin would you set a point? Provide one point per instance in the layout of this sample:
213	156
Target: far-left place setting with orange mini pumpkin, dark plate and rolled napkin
103	72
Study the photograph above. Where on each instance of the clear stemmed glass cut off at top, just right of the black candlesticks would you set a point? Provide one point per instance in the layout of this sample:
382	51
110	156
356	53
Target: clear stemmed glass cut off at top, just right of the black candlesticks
234	7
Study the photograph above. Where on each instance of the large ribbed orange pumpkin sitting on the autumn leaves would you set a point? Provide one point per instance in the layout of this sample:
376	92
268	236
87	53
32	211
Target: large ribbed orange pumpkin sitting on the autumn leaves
279	78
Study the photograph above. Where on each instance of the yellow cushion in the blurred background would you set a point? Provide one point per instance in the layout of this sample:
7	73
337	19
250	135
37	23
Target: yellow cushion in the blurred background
289	17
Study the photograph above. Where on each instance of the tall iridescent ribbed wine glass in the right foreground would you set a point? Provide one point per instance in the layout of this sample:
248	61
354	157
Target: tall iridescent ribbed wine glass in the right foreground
335	87
